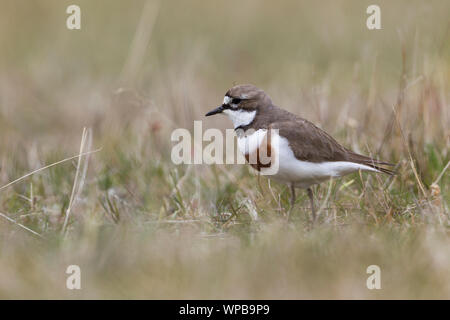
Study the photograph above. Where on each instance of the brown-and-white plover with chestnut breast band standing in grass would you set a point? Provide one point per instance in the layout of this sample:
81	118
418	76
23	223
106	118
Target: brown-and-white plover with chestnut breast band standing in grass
306	154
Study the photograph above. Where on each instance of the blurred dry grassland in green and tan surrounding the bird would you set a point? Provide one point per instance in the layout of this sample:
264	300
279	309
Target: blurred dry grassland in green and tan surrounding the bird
142	227
